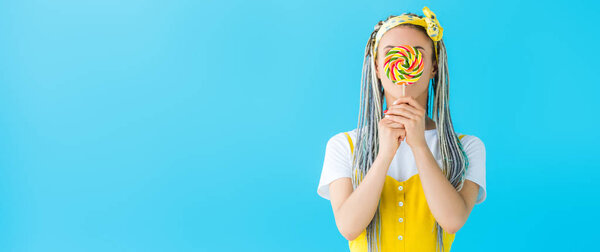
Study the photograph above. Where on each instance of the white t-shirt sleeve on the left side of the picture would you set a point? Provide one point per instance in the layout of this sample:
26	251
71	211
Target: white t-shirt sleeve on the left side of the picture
337	163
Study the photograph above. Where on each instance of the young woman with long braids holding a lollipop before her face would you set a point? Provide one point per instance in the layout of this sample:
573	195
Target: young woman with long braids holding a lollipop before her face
402	181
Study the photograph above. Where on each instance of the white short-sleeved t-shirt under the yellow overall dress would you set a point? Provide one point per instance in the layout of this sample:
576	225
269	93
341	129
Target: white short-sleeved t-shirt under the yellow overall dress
338	163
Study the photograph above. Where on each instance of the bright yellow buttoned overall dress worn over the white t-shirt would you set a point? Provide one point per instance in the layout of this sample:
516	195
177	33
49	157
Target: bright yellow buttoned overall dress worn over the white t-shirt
406	221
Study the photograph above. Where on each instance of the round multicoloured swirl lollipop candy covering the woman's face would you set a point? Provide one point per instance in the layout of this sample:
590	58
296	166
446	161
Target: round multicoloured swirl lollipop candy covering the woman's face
404	65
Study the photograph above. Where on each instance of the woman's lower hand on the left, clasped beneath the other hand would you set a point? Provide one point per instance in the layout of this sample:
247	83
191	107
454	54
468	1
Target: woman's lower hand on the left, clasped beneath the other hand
391	134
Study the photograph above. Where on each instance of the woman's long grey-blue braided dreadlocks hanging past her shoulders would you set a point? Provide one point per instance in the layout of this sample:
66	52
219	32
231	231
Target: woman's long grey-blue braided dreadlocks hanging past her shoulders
454	158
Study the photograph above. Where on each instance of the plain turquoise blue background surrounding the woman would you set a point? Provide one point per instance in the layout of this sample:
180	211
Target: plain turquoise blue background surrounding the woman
202	125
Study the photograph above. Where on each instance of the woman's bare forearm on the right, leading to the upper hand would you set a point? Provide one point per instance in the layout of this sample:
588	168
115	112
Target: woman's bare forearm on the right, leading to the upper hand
446	204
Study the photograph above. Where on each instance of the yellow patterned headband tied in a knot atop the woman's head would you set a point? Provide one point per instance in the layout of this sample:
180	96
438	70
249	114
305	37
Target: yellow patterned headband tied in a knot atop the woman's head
434	30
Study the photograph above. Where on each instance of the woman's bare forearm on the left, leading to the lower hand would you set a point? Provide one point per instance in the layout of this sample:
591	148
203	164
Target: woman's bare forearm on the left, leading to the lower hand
358	209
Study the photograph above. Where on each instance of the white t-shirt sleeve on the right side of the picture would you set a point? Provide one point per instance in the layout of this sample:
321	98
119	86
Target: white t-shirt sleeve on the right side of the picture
475	150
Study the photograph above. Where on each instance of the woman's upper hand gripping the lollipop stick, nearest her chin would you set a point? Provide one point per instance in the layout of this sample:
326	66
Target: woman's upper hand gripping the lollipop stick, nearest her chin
407	111
